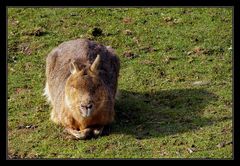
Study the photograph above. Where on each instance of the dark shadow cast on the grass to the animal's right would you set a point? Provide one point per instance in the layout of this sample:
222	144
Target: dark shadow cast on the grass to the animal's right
162	113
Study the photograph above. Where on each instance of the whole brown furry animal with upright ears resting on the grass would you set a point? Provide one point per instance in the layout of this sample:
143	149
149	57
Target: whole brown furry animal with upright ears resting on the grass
68	92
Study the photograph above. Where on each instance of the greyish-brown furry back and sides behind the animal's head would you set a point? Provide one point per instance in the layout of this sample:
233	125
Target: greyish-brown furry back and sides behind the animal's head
84	53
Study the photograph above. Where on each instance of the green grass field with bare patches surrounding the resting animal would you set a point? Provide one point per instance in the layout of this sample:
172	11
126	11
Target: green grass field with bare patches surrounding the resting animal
161	111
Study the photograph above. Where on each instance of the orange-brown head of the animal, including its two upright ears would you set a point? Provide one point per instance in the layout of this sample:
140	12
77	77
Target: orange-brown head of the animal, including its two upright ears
84	89
